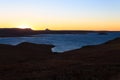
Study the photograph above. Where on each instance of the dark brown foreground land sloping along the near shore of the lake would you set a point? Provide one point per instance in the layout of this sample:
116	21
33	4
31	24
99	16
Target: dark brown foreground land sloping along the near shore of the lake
28	61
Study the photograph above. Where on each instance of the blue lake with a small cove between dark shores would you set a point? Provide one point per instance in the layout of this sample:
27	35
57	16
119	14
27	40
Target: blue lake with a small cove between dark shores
63	42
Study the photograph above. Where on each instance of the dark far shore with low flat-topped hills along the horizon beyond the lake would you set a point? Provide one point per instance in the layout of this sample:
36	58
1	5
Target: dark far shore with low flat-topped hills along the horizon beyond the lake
16	32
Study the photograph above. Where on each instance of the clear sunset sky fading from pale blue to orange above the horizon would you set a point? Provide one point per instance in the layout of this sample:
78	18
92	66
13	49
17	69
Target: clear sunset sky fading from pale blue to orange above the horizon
61	14
